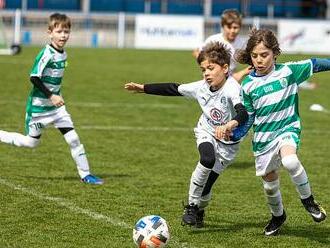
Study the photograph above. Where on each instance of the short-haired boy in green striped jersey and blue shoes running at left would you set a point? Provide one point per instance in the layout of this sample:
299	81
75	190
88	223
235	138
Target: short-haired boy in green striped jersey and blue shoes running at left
45	104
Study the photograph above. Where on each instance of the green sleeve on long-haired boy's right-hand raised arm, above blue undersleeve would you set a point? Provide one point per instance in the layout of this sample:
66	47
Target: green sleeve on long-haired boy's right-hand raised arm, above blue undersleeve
301	70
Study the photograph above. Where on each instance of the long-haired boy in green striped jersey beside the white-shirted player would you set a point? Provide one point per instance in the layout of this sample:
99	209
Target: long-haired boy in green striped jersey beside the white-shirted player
270	94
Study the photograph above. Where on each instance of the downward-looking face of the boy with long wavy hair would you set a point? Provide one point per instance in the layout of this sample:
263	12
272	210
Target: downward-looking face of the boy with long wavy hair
263	59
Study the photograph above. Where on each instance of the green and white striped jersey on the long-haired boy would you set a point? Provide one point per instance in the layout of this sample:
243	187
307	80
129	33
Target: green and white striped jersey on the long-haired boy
273	99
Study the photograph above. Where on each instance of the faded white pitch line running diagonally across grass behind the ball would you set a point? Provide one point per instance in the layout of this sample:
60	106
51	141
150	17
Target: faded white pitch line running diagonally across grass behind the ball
76	209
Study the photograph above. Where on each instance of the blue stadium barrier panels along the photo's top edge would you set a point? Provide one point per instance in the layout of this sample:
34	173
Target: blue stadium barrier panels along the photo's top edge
291	9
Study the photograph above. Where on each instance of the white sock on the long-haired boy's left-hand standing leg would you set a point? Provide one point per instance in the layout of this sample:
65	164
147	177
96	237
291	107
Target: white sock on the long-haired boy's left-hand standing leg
274	198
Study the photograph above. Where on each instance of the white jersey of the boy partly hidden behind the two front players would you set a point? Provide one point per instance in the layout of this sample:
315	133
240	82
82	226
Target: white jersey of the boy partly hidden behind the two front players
238	43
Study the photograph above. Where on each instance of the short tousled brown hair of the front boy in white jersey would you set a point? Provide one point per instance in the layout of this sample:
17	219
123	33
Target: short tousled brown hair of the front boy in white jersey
215	52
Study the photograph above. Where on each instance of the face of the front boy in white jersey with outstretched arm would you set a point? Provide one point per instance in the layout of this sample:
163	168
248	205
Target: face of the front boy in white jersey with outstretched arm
214	74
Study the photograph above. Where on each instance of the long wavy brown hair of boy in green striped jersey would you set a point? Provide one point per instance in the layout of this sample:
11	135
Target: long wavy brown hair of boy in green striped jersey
257	36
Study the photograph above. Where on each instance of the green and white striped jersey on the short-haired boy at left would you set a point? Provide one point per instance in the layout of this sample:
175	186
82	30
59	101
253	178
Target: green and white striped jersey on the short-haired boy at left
49	66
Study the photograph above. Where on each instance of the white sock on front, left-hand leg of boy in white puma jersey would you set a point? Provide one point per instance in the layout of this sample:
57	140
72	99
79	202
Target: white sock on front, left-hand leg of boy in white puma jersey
197	182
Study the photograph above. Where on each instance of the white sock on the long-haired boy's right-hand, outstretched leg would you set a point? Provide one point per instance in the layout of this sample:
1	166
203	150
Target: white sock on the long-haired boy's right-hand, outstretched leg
298	175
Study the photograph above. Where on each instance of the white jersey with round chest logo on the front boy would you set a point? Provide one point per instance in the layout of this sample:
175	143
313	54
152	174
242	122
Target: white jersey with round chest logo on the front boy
217	107
